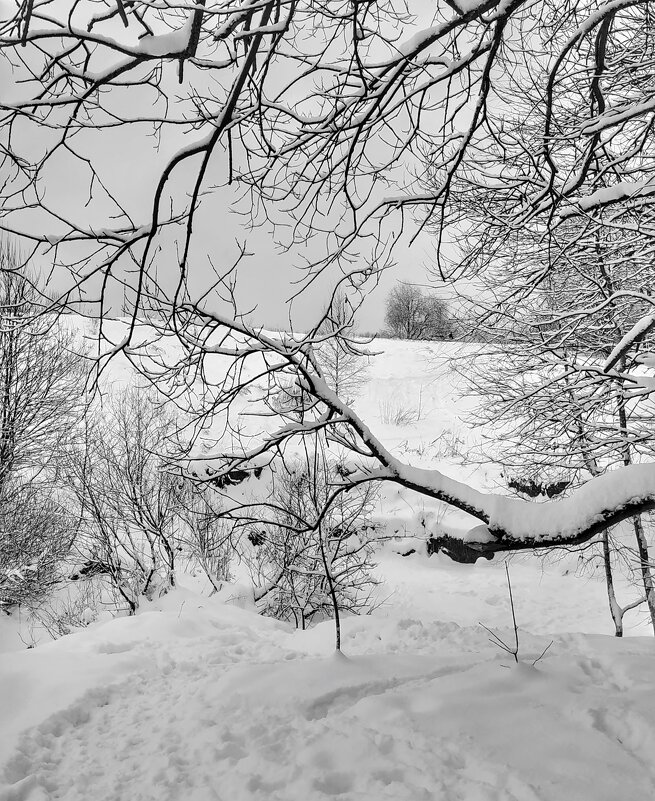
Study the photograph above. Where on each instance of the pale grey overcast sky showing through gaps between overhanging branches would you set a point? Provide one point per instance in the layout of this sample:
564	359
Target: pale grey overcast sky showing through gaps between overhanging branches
130	166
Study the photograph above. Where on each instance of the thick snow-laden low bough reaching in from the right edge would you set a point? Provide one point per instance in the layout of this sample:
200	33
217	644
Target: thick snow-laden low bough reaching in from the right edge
506	523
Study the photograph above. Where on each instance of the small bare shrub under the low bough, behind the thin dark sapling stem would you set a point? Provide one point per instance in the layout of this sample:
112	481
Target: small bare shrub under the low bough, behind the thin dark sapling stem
313	557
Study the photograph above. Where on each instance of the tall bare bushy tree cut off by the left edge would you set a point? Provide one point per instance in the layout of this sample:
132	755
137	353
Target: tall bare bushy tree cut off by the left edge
42	400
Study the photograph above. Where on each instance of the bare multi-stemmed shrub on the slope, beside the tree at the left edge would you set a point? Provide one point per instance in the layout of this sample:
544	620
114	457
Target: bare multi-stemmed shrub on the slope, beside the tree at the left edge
129	501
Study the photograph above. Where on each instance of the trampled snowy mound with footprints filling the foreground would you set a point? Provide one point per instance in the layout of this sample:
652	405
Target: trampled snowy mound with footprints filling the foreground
198	700
